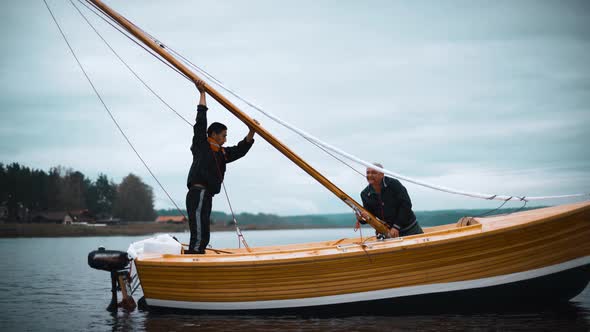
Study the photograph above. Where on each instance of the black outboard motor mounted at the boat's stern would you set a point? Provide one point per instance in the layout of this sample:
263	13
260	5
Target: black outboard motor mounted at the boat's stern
117	263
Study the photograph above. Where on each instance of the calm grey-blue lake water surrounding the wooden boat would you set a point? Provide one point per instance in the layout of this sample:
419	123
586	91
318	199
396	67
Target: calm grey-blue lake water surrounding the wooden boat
46	285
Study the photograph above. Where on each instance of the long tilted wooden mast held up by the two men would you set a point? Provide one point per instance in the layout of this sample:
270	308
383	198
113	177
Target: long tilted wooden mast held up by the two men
379	225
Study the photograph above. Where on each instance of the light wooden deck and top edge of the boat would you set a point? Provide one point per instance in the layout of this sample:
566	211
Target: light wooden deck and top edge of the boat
464	228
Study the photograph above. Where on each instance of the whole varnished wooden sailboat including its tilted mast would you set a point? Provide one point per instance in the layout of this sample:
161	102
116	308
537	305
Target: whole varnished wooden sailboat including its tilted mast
538	255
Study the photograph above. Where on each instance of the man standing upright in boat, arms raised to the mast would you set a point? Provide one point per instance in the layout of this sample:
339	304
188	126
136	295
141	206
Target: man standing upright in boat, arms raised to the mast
207	171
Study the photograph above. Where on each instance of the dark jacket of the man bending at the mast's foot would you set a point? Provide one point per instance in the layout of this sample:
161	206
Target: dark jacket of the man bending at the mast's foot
393	205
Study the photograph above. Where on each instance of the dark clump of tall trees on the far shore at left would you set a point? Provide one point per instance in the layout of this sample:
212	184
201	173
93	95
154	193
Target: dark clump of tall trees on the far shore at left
25	192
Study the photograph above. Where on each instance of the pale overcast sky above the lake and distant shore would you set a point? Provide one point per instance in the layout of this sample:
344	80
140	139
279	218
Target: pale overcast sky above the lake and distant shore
484	96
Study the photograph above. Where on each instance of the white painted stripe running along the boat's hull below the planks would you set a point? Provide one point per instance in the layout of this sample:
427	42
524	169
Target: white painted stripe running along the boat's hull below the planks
374	295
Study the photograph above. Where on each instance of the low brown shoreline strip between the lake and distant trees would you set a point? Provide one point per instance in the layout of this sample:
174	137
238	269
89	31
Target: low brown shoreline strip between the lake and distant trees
129	229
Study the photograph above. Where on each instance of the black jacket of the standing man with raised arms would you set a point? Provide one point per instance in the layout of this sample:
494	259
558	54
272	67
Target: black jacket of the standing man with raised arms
208	167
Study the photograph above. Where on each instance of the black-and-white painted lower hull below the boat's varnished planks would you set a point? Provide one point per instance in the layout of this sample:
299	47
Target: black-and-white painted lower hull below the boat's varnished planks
550	289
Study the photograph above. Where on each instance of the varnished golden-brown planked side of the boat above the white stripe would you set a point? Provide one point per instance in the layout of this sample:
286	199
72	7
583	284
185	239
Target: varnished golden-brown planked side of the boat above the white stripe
497	251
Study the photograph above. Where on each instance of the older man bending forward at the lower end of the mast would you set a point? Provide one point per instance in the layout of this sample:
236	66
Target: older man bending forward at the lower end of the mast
387	199
